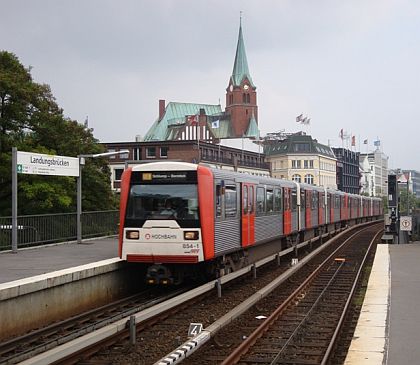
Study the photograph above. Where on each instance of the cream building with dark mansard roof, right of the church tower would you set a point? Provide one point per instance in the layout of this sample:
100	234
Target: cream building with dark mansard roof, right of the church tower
300	158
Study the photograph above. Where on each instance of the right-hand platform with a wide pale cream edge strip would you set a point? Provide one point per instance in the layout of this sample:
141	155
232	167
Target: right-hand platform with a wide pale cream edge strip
388	327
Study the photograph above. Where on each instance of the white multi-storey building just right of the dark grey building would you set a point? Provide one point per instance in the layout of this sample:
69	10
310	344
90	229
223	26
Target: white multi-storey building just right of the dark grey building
374	173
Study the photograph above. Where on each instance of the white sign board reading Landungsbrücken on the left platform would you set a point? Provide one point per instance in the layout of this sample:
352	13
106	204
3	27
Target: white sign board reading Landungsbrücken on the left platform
41	164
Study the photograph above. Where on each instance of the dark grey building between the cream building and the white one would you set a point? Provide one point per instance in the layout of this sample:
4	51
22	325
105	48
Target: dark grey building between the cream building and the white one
348	171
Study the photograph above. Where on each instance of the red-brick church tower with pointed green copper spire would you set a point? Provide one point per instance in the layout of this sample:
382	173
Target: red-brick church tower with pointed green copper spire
241	95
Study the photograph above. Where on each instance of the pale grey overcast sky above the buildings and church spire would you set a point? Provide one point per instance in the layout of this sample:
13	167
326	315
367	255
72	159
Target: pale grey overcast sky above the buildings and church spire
351	65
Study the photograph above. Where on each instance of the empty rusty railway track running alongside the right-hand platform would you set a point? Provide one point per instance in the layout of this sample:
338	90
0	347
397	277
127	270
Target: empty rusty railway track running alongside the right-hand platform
302	328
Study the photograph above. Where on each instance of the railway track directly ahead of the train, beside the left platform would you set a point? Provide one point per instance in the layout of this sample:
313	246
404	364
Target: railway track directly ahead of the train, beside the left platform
26	346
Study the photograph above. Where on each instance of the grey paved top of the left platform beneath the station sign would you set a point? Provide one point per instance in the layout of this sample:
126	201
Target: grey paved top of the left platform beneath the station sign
40	260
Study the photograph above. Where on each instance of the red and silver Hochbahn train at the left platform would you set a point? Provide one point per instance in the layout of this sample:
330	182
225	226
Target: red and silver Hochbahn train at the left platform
181	219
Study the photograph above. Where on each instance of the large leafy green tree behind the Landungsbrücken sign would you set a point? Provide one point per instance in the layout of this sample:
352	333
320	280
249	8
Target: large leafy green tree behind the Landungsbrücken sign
31	120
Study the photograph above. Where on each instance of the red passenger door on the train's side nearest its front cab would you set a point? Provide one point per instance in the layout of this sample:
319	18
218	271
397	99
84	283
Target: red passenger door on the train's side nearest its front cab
248	215
